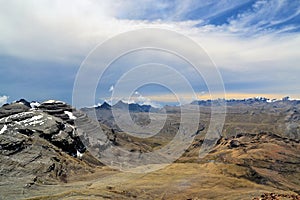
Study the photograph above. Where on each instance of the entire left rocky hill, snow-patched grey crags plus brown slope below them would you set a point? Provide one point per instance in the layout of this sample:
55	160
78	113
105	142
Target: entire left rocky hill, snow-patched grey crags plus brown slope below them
40	144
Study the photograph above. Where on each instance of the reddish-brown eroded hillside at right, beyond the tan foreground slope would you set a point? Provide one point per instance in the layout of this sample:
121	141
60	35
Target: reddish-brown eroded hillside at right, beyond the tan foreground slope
265	158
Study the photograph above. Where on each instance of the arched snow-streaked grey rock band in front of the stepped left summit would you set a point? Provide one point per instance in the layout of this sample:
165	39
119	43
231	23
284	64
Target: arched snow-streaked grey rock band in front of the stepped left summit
40	124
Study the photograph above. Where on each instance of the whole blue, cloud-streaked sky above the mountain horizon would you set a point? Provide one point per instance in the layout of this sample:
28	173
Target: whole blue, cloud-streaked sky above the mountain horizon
253	44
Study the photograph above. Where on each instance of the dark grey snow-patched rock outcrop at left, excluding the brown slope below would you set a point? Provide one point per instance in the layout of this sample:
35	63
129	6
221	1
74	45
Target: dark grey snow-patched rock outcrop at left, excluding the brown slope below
46	122
